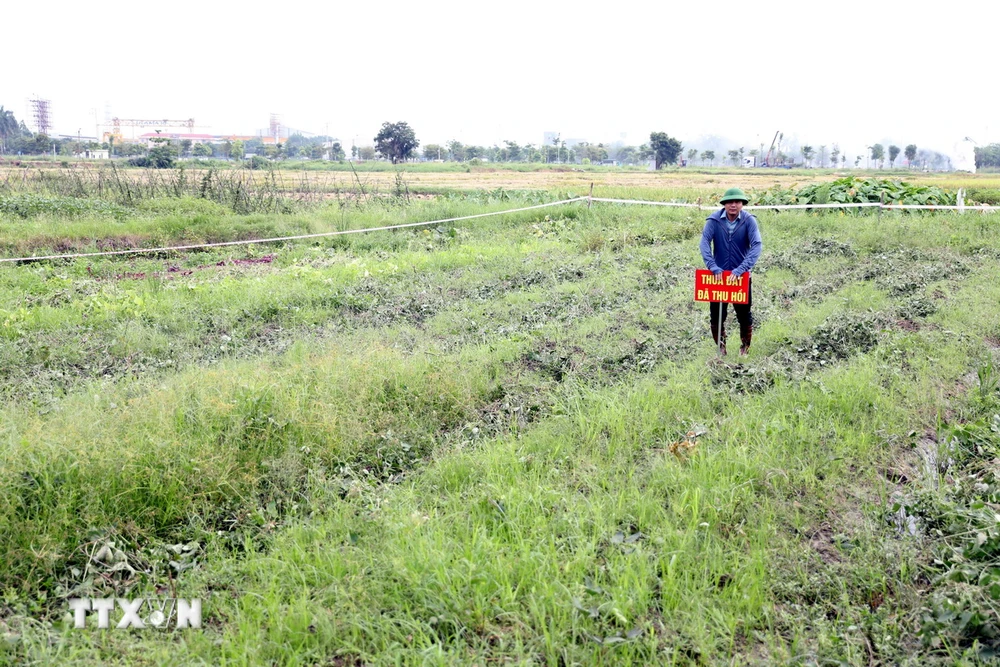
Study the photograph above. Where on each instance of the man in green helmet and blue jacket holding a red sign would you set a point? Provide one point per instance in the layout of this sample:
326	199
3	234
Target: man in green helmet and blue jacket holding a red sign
731	242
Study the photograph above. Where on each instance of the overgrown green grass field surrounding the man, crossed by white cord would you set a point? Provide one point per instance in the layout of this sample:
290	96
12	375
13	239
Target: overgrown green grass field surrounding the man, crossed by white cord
504	440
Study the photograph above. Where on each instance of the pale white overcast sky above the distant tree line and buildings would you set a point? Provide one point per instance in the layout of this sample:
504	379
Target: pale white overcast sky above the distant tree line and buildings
845	72
